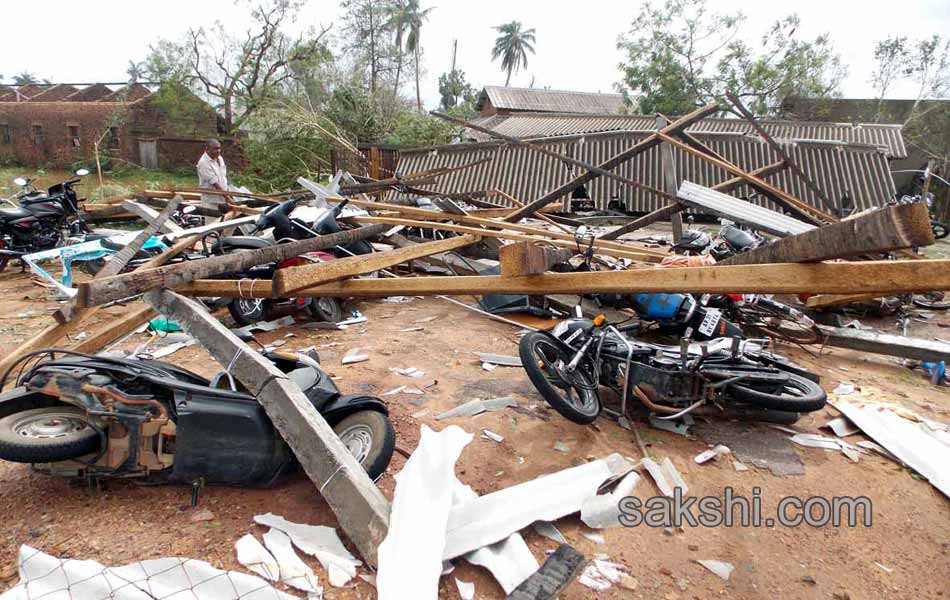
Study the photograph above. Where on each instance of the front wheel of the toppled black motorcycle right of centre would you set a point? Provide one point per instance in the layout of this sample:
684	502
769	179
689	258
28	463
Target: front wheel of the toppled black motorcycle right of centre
574	395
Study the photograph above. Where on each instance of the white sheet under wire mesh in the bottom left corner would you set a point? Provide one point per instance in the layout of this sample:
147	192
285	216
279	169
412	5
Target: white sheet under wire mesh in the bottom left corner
45	576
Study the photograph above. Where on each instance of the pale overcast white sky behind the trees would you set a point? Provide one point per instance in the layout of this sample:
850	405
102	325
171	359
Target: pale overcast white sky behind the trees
576	41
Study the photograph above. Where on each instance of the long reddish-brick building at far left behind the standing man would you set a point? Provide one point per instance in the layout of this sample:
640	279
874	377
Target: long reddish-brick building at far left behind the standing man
58	125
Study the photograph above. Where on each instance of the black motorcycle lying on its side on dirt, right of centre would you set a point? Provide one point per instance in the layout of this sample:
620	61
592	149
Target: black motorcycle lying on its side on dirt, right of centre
568	363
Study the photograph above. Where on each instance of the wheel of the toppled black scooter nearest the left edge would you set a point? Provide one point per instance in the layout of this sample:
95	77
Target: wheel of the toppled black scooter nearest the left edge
49	434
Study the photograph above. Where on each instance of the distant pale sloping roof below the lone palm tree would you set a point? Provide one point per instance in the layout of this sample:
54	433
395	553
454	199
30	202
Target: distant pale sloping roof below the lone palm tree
533	99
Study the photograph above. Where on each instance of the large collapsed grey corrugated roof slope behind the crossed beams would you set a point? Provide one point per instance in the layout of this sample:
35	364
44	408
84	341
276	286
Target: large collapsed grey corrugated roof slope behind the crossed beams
860	172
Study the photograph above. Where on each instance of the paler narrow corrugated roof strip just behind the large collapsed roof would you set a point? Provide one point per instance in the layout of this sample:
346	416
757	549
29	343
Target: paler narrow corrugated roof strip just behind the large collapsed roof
540	125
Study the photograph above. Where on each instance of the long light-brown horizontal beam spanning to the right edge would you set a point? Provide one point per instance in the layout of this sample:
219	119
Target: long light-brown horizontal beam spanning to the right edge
879	277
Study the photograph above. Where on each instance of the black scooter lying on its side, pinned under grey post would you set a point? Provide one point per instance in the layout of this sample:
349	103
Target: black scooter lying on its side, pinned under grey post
78	415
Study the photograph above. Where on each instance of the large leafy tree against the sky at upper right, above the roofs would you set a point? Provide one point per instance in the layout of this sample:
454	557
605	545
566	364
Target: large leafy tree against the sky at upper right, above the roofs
680	54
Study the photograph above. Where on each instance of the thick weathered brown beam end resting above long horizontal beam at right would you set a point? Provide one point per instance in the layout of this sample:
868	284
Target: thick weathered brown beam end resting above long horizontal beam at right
890	228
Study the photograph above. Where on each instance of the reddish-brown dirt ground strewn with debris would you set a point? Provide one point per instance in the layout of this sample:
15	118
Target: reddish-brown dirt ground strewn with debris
904	554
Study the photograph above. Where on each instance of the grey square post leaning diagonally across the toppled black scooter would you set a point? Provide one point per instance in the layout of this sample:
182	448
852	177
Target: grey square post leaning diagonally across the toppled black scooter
359	506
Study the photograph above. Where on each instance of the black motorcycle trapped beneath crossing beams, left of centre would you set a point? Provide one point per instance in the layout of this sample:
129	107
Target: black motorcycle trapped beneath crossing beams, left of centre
284	228
